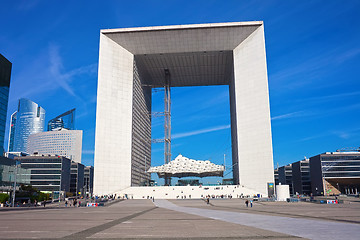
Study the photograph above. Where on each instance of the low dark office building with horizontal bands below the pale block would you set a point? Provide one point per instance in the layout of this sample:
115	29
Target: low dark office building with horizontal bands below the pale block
48	173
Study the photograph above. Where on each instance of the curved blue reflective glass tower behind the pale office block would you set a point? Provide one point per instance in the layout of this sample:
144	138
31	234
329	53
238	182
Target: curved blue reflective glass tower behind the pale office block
30	119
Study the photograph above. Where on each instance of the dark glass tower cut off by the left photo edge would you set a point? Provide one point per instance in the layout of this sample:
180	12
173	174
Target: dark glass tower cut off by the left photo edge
5	74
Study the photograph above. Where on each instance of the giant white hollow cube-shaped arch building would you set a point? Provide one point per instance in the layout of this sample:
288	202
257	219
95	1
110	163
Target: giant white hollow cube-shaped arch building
132	61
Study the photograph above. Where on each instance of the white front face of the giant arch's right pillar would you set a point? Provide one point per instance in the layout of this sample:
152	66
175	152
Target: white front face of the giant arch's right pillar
253	127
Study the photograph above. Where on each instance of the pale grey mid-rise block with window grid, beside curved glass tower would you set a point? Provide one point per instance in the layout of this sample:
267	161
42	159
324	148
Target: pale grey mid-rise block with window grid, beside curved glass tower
62	142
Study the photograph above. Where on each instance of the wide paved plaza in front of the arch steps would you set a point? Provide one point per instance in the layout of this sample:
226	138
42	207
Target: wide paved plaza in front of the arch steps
186	219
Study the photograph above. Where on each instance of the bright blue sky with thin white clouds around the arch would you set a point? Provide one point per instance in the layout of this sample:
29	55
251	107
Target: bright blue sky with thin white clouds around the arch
313	56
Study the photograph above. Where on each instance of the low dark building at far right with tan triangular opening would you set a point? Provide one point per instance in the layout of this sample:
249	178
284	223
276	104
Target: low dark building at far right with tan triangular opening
335	173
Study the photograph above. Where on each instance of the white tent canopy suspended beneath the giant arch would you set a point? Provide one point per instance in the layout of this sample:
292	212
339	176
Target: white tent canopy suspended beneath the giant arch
184	167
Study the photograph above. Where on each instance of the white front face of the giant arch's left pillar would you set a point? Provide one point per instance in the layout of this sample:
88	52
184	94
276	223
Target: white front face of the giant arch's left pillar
112	164
